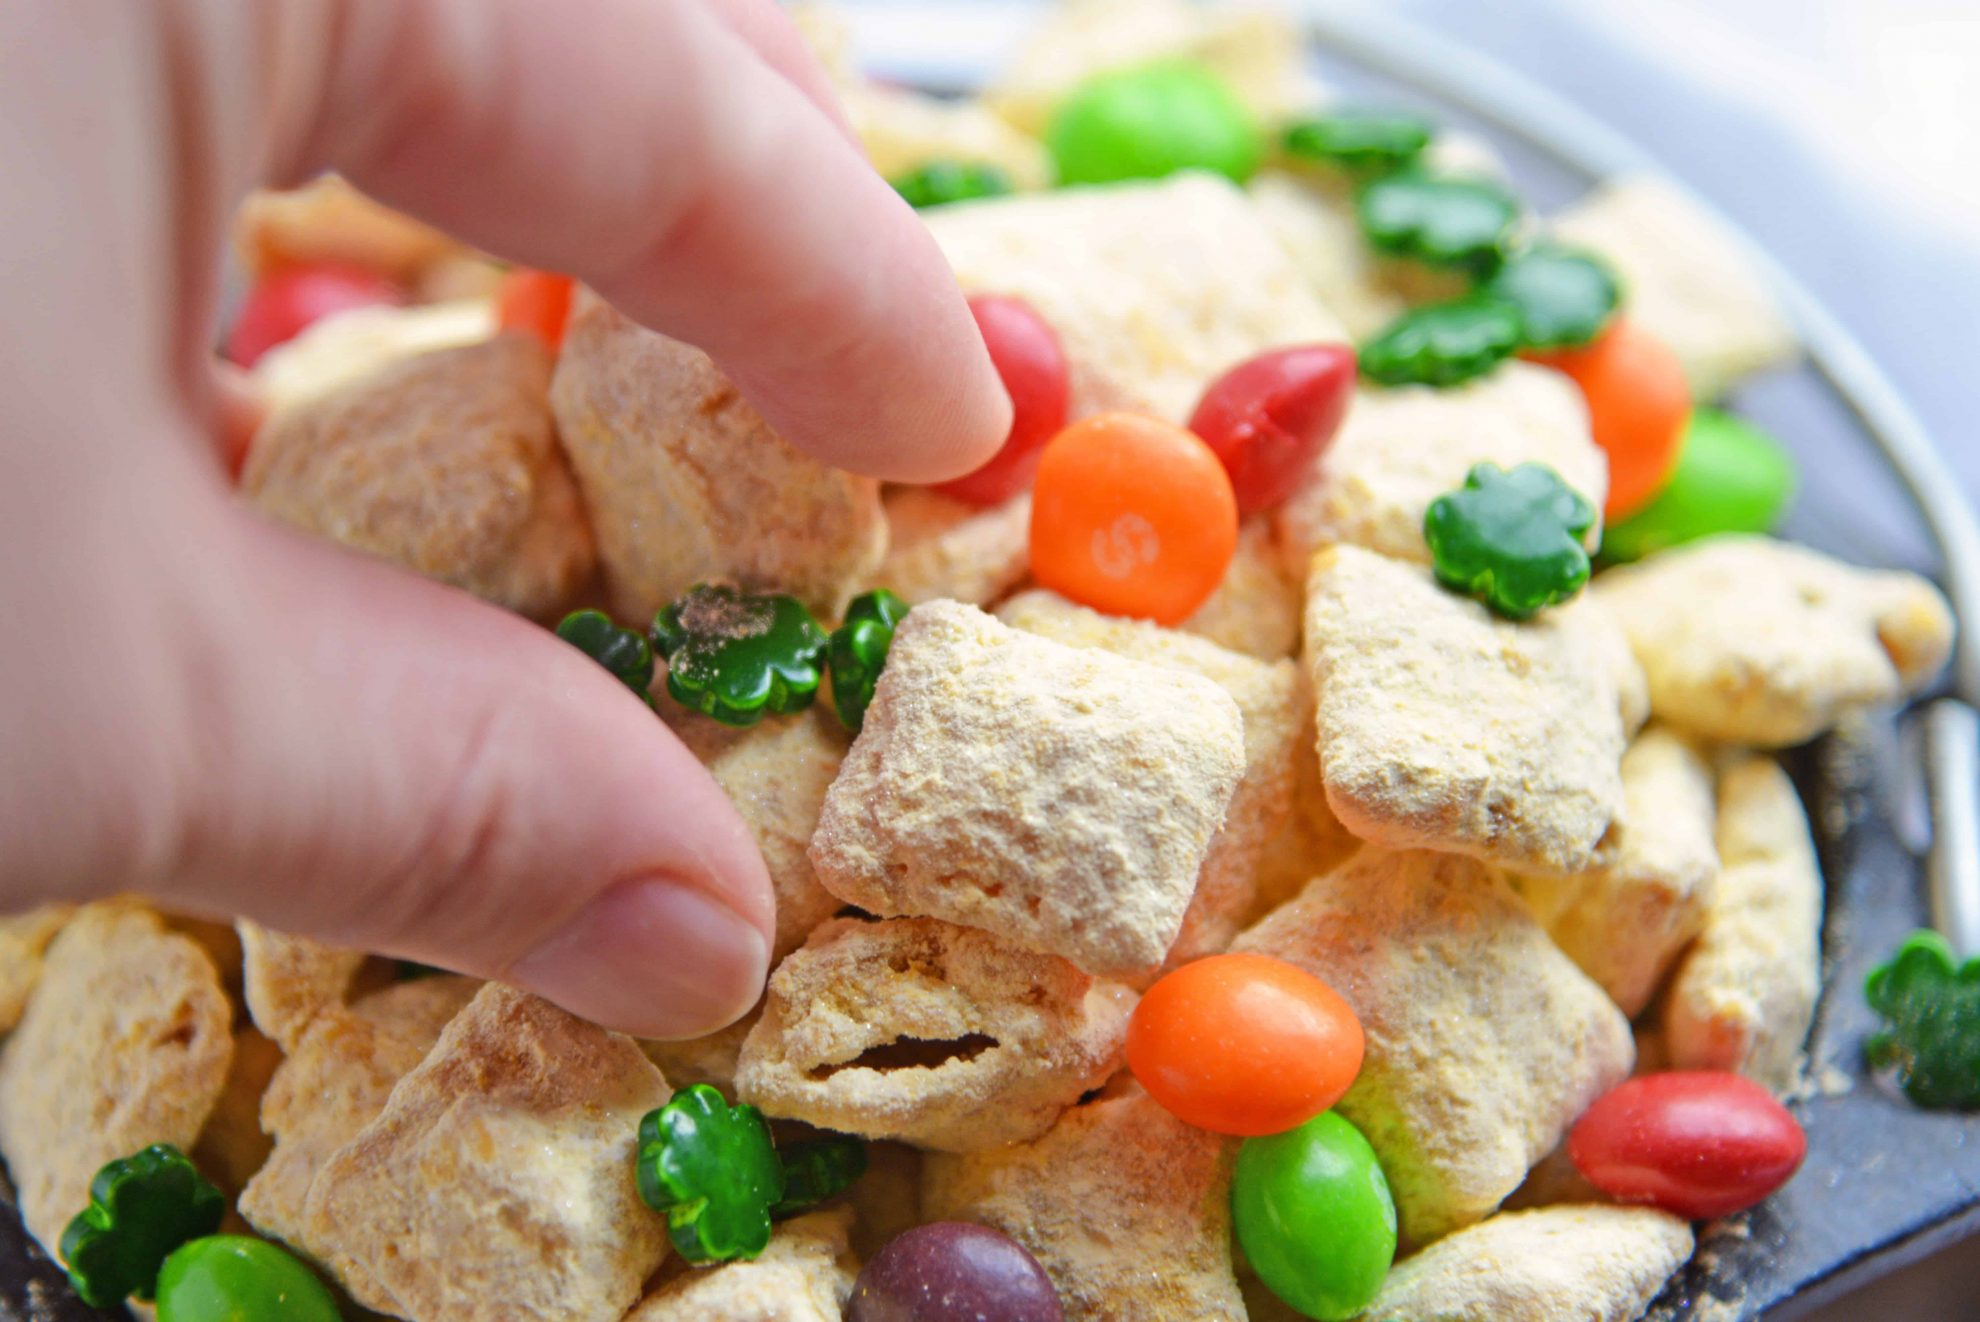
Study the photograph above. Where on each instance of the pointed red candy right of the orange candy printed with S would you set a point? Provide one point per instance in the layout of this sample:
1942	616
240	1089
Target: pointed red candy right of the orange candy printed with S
1270	417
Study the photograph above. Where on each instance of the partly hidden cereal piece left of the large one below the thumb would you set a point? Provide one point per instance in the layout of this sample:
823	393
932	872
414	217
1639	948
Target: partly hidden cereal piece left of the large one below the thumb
334	1084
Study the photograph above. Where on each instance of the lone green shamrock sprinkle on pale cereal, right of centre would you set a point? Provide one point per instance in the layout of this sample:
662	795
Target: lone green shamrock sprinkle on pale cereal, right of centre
1514	541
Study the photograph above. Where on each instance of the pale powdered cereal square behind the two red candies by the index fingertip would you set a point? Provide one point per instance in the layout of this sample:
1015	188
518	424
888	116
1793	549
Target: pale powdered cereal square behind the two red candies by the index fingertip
1153	290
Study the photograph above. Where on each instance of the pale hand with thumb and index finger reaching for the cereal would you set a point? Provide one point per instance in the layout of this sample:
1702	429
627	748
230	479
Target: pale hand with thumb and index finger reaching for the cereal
235	719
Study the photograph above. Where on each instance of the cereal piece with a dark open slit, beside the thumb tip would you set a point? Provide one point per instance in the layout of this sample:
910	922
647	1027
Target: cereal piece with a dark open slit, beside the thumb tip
932	1034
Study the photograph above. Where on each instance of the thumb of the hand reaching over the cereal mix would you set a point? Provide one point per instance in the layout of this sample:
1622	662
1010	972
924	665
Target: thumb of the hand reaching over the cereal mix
407	771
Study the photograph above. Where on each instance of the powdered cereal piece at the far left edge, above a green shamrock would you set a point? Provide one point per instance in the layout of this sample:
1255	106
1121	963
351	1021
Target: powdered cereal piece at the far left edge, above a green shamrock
126	1044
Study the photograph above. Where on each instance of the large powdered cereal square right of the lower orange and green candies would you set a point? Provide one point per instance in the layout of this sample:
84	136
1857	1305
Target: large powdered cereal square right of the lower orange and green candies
1484	1040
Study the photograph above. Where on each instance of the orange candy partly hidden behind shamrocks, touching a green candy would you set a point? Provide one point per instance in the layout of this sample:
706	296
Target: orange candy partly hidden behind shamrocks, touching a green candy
1638	407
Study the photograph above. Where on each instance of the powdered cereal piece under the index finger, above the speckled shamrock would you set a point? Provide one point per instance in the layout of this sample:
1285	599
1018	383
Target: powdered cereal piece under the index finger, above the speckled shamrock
688	484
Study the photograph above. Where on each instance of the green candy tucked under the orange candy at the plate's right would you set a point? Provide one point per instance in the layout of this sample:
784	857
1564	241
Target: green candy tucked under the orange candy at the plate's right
1730	478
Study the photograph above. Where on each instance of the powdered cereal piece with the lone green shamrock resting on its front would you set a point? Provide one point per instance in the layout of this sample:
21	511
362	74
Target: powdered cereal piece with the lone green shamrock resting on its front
1401	448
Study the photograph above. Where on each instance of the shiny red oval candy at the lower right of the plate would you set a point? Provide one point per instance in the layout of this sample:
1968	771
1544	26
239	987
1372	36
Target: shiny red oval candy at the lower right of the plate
1694	1143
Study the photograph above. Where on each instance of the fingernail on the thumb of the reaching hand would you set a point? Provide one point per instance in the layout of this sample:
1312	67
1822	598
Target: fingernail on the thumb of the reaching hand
652	959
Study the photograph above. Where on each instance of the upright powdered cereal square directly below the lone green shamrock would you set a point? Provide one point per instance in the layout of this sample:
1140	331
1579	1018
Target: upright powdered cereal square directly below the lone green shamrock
1446	727
